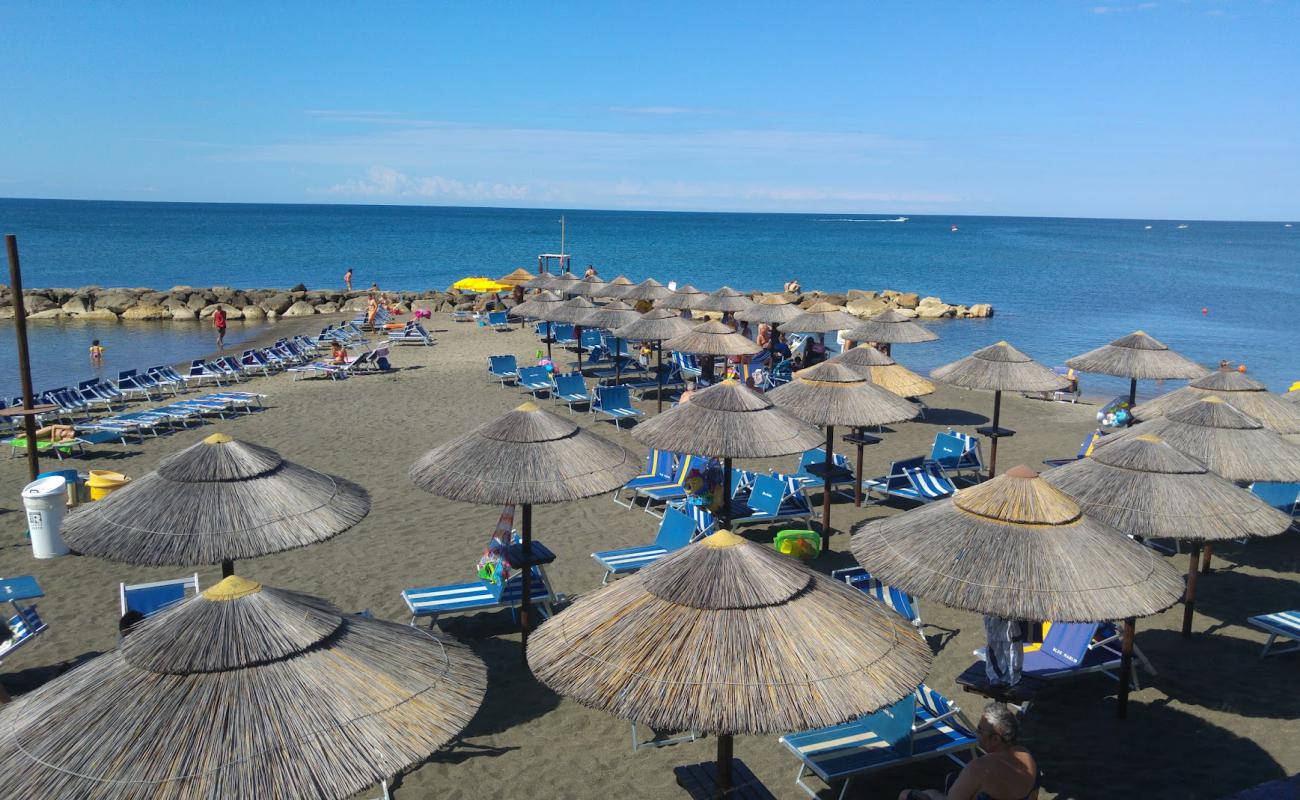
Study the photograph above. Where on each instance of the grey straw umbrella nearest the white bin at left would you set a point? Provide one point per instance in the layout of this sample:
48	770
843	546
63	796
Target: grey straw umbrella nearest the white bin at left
215	503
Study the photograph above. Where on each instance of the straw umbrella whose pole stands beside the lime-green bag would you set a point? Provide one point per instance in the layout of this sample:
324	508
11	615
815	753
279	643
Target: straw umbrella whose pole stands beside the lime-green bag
833	395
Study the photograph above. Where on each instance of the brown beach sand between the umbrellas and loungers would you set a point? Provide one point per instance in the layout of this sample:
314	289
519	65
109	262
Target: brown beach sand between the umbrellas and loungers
1216	720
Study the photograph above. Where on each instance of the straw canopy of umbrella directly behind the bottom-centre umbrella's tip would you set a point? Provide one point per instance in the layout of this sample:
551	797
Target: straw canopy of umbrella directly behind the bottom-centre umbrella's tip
729	421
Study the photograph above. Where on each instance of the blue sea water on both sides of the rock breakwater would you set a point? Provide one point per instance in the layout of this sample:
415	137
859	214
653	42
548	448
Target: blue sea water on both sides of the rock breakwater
1060	287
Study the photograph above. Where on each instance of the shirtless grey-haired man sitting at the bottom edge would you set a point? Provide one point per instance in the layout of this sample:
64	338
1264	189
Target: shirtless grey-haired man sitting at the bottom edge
1007	772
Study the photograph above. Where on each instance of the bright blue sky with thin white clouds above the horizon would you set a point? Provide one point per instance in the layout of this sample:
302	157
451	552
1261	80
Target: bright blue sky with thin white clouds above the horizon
1171	110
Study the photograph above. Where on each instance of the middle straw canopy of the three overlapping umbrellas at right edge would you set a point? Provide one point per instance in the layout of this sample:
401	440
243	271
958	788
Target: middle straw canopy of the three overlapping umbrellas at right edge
1224	439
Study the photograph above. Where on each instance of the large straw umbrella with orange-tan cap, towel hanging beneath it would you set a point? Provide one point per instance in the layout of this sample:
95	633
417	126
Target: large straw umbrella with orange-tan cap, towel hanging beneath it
1019	548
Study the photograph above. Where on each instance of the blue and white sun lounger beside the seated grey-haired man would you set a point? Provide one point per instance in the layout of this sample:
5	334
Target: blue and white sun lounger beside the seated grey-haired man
925	725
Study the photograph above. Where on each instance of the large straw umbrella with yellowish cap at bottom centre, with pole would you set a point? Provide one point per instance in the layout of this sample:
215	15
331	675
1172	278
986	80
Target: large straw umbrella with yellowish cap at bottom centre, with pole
731	638
